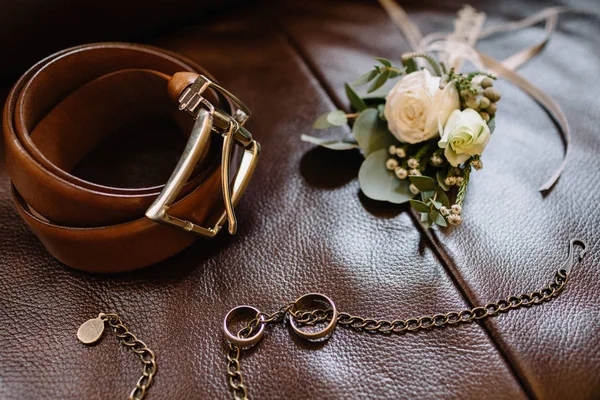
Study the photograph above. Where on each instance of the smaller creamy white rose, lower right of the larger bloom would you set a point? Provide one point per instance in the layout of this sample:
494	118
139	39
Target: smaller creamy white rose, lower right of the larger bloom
466	134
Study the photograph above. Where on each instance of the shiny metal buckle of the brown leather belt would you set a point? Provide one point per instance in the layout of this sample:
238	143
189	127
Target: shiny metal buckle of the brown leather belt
209	119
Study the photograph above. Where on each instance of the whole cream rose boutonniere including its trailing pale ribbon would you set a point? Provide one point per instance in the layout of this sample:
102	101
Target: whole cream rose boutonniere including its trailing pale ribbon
423	125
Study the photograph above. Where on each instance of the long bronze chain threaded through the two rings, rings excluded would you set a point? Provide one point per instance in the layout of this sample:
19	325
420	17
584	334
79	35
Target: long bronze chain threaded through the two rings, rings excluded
385	326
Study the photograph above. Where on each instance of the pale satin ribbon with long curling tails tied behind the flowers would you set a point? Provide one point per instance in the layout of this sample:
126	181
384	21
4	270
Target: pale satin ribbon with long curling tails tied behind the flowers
463	47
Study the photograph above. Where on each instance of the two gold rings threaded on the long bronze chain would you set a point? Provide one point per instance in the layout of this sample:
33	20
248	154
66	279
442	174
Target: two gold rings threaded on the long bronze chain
299	305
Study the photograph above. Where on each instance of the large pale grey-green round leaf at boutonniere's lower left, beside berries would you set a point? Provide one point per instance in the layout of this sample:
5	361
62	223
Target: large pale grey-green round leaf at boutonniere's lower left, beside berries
378	183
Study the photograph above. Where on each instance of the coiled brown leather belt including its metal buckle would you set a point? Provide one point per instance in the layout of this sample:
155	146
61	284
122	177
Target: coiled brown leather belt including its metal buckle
66	105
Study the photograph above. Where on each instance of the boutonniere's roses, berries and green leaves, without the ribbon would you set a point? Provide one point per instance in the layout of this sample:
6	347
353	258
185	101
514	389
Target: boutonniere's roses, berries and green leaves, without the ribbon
423	138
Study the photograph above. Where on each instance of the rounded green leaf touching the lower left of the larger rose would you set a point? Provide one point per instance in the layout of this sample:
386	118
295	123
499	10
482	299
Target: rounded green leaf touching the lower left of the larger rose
371	132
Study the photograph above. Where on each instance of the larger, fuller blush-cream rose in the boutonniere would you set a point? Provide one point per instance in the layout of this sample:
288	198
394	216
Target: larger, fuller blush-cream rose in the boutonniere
416	107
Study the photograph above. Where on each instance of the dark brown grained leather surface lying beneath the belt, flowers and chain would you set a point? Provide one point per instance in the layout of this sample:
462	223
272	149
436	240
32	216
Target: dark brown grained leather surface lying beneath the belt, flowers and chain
304	226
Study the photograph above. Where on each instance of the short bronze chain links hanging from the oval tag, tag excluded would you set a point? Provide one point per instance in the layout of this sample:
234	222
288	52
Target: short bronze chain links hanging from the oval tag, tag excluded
146	355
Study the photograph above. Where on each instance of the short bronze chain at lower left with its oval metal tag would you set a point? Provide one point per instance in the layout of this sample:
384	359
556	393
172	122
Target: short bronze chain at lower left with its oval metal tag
91	331
